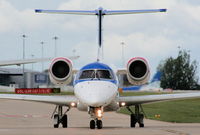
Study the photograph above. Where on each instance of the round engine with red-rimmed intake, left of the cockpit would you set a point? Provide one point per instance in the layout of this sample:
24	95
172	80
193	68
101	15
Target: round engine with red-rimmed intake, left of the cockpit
60	71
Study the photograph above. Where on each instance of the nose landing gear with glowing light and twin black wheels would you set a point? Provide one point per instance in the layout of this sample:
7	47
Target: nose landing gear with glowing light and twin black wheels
96	115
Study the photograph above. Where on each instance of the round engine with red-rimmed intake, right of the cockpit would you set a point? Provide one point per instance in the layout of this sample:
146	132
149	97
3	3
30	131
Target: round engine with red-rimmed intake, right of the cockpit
138	71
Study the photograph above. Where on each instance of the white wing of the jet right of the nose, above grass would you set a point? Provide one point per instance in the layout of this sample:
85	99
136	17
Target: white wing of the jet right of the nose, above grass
134	100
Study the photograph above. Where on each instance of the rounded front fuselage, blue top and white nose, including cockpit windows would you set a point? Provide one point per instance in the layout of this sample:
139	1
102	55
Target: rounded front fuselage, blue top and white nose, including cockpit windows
95	85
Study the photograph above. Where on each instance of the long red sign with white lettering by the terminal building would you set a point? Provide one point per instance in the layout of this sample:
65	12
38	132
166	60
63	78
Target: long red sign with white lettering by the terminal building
33	91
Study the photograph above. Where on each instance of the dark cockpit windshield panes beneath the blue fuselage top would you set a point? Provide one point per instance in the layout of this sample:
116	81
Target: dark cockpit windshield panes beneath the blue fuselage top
96	74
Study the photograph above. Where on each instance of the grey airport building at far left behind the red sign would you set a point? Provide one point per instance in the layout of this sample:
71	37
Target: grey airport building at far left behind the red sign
14	77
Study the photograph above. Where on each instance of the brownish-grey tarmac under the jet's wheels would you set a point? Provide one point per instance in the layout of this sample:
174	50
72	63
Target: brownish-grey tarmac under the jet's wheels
28	118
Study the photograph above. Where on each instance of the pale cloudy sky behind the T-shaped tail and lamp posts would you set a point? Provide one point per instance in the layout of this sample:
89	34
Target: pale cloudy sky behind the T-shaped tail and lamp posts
152	36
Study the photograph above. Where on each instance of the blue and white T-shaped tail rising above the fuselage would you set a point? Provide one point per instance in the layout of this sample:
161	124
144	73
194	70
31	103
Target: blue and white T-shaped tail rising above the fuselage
100	12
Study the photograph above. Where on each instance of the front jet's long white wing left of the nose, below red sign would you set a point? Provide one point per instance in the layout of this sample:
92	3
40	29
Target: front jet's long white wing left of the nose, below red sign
57	100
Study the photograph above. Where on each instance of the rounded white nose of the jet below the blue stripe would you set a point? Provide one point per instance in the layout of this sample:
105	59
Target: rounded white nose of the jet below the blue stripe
96	93
